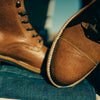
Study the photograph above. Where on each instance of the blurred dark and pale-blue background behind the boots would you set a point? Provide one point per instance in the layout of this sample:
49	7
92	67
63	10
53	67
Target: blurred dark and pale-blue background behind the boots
48	16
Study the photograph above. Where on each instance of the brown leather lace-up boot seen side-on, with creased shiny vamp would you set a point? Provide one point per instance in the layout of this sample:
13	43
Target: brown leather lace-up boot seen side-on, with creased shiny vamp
19	42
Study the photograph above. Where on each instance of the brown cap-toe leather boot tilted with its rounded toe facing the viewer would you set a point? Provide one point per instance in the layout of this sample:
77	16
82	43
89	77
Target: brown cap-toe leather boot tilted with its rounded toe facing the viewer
76	50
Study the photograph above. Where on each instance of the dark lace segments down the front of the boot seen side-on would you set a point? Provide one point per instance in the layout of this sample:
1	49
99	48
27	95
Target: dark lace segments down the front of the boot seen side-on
18	4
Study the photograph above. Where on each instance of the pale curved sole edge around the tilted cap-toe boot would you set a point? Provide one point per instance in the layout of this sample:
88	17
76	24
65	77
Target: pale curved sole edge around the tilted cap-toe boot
54	44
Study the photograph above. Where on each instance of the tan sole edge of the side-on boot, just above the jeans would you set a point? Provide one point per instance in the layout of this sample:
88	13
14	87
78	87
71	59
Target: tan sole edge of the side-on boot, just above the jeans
19	63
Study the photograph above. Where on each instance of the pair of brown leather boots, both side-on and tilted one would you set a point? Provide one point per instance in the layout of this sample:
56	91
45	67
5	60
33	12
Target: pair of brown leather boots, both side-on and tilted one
73	55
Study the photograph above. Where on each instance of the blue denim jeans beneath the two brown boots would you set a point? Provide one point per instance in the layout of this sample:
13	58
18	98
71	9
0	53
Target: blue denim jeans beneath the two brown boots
21	84
